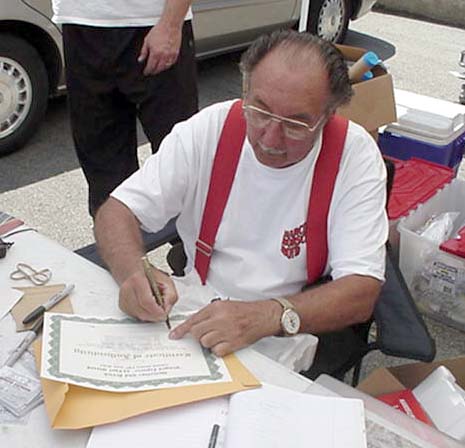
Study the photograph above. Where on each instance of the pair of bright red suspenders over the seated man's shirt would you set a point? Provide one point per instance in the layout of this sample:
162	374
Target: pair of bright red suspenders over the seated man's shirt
222	176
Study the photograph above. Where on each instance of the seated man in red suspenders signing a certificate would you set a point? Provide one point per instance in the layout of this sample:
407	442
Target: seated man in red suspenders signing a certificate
293	83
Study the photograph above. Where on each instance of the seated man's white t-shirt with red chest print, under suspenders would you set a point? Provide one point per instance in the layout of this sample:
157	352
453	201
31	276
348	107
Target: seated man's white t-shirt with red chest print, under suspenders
259	251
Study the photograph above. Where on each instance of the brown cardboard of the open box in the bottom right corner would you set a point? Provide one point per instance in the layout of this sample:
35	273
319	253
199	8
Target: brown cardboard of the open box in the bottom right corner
407	376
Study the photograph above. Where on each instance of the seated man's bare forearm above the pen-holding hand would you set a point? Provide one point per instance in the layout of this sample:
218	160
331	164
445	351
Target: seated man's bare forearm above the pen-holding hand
118	239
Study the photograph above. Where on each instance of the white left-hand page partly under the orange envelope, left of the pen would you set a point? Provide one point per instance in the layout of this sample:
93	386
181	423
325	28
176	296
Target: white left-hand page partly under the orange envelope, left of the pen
186	426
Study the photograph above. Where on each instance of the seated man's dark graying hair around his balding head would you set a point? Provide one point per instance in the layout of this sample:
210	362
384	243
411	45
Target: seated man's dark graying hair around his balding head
339	85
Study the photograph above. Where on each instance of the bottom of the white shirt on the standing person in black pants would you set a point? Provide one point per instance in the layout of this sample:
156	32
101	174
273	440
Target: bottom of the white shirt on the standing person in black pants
110	13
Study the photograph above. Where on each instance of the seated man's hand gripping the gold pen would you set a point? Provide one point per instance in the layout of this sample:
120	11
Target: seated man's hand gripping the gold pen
136	298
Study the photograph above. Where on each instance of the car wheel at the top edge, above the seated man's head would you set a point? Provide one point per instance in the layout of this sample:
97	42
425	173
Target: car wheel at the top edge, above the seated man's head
329	19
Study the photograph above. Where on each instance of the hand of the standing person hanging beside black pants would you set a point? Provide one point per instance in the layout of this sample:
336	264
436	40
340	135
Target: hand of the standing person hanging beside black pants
160	49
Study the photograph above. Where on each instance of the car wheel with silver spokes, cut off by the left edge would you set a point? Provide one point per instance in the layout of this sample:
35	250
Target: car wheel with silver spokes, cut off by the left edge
24	92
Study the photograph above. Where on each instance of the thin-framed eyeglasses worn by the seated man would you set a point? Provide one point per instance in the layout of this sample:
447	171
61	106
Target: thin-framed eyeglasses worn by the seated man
294	129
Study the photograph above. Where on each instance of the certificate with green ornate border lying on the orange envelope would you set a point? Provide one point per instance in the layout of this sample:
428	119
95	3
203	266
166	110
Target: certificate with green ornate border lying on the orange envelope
124	355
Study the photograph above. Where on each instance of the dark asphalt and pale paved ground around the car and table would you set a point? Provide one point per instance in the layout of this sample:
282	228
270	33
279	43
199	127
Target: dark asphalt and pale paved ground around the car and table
44	185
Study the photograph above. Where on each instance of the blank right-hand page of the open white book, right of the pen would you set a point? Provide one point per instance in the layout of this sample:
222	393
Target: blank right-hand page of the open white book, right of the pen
271	417
